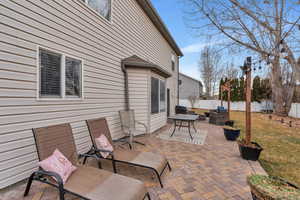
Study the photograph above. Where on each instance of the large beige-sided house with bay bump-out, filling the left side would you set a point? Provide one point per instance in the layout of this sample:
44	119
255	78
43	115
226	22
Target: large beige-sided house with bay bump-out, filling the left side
65	61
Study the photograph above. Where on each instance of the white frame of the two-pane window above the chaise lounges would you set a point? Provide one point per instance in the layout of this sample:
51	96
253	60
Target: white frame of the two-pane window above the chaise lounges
63	96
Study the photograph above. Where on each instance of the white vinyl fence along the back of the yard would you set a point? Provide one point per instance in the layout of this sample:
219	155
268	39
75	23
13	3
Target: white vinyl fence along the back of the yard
239	106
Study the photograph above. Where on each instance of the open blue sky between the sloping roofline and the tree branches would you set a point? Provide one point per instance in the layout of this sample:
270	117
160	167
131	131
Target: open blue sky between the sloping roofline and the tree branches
172	14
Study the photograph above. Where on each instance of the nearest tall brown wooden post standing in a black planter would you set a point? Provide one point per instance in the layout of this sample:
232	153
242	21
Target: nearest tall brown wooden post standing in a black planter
248	100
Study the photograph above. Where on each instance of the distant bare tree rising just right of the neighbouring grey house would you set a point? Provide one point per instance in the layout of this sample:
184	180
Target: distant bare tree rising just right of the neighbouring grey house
210	69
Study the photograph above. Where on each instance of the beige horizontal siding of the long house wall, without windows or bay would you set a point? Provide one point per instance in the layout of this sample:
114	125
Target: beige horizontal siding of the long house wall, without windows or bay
67	27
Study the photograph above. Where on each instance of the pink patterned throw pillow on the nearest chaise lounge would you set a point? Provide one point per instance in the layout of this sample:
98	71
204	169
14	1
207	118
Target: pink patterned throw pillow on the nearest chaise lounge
59	164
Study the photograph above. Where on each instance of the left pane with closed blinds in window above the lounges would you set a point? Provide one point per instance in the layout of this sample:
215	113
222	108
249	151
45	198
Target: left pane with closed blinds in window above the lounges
50	73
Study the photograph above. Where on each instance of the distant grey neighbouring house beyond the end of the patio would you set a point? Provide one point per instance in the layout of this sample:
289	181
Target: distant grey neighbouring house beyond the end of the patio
189	86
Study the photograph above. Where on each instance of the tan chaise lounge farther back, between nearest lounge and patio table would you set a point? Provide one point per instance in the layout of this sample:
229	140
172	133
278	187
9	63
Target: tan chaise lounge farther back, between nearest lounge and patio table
155	162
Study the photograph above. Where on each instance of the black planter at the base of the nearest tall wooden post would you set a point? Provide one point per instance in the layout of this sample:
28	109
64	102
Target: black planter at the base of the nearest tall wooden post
250	153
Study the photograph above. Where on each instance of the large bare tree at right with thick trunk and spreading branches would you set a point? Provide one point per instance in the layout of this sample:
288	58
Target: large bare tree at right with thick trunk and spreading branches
266	28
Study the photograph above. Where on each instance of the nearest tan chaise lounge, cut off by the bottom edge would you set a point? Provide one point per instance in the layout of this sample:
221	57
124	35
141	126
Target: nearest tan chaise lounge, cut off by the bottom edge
87	183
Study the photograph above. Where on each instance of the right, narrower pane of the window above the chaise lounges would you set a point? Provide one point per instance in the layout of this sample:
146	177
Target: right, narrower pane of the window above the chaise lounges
73	77
